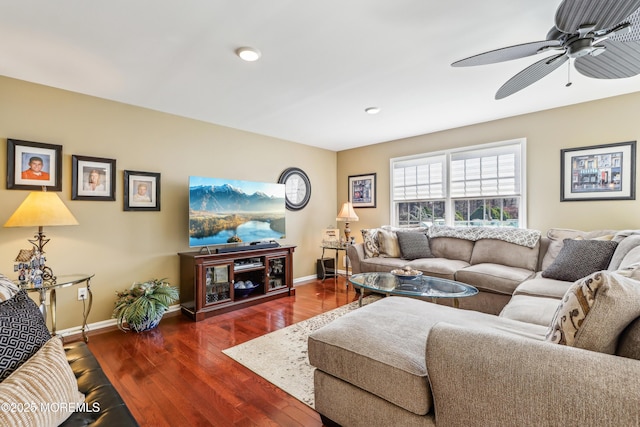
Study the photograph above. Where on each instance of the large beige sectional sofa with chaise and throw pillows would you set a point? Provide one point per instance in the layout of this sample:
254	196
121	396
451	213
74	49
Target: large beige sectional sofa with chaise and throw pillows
553	338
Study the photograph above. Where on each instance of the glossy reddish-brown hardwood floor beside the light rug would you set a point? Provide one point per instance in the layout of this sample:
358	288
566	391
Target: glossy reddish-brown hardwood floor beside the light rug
176	375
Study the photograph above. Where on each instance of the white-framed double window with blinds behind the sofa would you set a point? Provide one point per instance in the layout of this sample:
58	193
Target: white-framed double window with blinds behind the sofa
474	186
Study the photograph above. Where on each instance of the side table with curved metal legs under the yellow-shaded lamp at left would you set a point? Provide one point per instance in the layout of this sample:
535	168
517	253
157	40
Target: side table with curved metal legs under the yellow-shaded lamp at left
62	281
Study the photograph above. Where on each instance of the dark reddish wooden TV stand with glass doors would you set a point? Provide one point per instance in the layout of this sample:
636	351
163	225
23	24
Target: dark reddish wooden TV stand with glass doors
209	282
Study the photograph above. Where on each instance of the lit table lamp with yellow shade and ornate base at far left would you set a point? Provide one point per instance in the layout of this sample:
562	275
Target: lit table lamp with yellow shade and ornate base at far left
41	208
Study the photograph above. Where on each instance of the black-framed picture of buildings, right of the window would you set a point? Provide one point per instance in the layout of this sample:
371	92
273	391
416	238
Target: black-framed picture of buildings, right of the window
598	172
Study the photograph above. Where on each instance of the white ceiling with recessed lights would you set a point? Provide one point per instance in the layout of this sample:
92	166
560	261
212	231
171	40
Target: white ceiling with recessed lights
323	62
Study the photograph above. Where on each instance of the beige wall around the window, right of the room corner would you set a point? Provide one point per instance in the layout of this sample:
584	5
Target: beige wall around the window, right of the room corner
600	122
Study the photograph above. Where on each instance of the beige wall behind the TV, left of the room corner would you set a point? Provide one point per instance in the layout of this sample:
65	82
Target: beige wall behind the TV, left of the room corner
122	247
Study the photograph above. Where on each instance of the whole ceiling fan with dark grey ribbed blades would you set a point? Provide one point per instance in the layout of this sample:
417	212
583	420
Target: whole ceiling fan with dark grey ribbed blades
601	36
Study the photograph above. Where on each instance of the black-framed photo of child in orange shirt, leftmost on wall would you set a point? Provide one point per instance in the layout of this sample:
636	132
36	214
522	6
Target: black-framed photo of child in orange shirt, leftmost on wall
33	165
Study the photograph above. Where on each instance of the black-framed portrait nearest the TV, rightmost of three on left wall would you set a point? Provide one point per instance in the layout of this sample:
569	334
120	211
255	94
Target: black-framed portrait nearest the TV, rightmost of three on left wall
141	191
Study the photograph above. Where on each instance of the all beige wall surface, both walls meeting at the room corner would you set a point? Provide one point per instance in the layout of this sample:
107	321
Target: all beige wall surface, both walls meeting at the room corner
123	247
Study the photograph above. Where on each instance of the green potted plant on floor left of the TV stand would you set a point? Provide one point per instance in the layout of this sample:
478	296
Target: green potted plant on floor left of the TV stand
142	306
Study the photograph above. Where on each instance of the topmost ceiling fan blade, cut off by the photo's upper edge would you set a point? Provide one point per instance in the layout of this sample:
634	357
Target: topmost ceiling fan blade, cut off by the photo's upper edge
572	14
